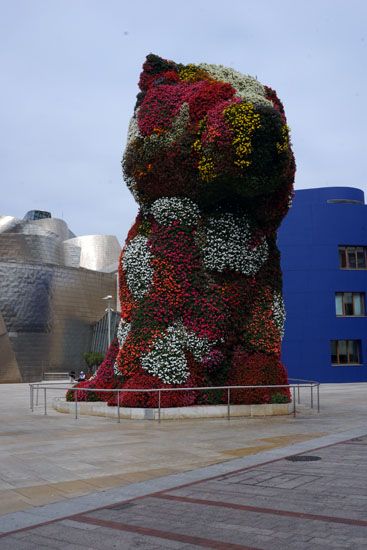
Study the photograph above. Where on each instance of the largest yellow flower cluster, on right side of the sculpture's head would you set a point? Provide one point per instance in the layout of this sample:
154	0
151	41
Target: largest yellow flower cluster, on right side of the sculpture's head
244	122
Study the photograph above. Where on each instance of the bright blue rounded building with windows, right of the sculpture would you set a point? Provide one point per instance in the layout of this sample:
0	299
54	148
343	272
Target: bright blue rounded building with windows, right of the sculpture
323	244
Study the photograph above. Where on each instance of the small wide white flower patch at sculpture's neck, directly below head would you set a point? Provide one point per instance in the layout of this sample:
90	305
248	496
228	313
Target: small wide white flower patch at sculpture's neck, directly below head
169	209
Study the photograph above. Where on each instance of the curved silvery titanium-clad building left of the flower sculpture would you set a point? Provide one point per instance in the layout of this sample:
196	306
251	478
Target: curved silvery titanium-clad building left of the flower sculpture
51	285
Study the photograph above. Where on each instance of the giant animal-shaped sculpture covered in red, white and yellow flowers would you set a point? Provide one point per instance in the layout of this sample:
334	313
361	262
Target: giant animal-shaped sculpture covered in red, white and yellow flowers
209	161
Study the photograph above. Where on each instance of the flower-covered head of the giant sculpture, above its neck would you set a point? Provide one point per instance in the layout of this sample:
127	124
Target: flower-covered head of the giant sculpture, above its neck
208	133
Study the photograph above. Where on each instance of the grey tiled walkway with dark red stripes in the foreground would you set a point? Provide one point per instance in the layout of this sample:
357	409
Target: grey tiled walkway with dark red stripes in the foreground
316	503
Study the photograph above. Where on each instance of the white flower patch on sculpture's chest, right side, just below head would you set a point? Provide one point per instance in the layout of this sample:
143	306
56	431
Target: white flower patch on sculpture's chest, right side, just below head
227	246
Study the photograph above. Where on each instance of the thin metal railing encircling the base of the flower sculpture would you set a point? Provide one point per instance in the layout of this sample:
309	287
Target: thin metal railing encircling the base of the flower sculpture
294	386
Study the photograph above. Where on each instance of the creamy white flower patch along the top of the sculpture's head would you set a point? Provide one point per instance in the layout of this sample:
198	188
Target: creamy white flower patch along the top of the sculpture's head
247	87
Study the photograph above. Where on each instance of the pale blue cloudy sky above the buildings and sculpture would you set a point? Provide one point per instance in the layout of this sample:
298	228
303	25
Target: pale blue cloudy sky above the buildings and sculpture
68	82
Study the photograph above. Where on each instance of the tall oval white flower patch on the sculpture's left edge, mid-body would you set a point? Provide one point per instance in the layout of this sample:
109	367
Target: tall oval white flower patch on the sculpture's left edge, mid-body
136	263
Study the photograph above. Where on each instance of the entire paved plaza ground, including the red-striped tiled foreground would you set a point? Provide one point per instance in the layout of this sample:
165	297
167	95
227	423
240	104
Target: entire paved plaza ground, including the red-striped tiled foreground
93	483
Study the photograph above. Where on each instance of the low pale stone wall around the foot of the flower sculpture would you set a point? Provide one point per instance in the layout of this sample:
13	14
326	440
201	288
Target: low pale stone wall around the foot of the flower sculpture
100	408
